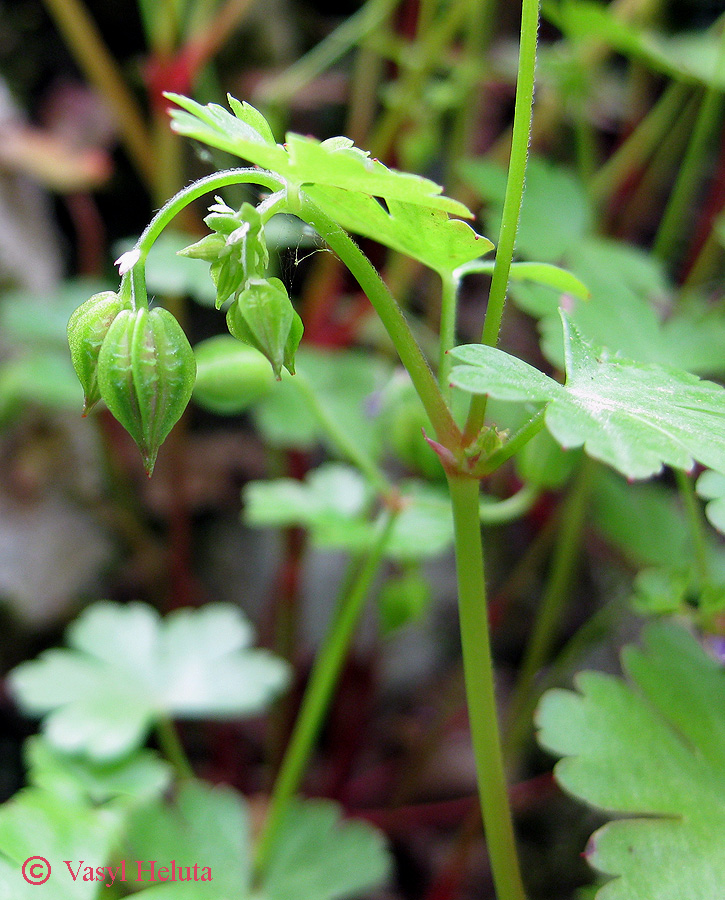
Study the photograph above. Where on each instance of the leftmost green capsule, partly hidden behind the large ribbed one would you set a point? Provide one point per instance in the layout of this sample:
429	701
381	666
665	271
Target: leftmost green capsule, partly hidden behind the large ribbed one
87	328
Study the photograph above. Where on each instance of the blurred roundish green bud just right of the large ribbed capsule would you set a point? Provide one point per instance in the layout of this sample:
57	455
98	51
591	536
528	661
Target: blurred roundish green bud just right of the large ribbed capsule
230	376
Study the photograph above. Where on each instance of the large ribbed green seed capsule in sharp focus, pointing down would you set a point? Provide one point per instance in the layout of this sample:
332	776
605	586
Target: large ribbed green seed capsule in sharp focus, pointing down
146	372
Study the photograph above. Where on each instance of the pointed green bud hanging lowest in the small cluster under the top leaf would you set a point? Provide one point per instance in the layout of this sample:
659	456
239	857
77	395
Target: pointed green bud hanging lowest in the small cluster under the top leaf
263	316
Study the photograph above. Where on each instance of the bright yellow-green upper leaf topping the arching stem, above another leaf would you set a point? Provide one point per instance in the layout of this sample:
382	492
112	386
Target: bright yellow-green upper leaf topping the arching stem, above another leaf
303	160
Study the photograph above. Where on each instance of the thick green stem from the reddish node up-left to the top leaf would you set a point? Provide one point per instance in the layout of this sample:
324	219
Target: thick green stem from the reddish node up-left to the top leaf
392	318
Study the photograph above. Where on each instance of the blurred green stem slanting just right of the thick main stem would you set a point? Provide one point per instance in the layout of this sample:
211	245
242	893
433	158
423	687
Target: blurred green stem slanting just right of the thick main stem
550	611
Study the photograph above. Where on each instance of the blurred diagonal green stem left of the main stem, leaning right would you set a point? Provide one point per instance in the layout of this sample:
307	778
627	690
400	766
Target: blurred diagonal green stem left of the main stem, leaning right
318	693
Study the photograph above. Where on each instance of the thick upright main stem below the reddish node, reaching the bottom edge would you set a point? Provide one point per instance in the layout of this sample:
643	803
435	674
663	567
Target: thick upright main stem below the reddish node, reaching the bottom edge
480	693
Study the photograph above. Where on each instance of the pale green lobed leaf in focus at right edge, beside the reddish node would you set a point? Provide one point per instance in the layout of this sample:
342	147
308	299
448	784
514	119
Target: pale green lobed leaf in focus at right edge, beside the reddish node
632	416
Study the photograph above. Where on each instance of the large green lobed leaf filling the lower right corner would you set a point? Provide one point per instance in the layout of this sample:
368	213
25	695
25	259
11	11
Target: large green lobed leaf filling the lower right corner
653	749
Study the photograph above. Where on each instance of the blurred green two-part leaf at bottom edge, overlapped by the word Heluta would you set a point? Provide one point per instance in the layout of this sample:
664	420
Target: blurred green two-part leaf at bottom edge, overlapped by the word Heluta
316	856
